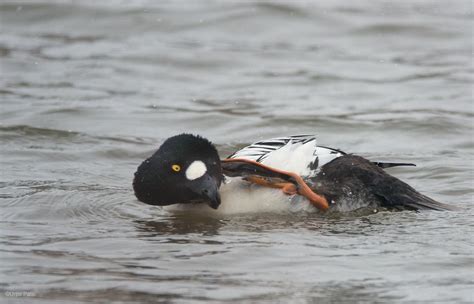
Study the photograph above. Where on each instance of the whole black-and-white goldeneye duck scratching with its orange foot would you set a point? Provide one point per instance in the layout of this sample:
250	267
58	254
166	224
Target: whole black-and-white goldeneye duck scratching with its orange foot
187	173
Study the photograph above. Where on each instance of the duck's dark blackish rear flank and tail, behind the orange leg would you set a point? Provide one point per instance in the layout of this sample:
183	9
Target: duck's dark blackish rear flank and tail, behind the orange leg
351	182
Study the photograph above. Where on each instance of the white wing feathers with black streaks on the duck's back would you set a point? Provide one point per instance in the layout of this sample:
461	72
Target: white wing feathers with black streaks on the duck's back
298	154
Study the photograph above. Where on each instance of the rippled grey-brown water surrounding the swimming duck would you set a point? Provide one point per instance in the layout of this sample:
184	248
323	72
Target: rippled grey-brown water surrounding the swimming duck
89	89
